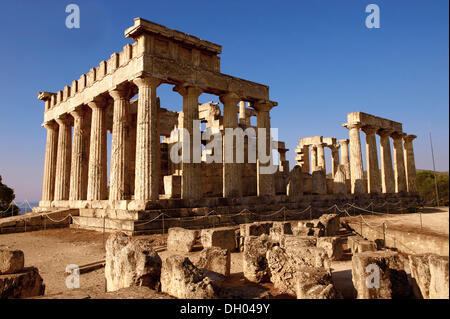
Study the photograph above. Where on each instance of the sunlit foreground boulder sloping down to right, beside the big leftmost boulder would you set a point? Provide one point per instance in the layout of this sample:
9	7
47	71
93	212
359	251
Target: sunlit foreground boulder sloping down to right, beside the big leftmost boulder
181	279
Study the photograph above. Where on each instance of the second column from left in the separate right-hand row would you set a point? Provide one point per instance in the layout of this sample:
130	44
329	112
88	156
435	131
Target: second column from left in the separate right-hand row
373	171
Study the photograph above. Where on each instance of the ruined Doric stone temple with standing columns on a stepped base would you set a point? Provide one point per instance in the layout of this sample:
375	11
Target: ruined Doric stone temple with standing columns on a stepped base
120	96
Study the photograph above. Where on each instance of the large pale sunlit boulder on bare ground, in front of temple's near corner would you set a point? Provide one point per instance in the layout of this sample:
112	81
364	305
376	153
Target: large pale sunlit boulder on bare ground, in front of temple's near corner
131	262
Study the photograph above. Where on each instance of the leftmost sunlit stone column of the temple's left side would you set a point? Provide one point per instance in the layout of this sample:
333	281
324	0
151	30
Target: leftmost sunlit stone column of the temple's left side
48	187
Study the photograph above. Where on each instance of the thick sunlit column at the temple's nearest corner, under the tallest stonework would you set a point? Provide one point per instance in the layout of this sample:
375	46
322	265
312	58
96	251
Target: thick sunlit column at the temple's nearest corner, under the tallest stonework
146	182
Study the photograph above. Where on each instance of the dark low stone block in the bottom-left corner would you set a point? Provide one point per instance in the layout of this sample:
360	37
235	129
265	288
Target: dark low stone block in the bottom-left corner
25	284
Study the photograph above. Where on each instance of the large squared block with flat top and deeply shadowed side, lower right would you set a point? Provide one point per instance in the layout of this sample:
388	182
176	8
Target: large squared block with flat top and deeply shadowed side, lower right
379	275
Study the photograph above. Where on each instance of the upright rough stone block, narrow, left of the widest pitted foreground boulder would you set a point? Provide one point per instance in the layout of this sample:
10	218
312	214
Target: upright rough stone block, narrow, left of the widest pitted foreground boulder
254	258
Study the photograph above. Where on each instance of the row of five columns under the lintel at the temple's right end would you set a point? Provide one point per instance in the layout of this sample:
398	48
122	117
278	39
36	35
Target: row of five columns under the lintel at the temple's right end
398	178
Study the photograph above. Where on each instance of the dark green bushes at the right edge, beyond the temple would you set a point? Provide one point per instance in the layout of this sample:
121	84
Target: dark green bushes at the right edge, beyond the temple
427	189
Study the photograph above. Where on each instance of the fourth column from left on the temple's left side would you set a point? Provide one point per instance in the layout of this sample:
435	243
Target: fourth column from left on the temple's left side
97	175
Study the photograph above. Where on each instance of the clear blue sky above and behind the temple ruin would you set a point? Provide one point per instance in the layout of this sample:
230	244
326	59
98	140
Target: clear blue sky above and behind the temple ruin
318	58
